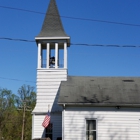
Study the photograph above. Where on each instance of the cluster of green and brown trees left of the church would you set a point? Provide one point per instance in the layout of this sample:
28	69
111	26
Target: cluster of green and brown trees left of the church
10	118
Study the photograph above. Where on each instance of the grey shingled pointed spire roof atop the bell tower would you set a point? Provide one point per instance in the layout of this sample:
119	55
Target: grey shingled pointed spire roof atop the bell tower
52	26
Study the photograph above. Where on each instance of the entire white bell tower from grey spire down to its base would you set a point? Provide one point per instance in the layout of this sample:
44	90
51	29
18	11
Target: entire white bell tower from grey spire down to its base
52	43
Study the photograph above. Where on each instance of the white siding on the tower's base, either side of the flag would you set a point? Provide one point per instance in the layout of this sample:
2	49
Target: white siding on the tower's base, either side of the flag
39	131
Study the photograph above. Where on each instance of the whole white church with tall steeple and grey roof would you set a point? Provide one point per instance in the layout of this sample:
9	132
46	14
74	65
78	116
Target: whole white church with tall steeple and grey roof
81	108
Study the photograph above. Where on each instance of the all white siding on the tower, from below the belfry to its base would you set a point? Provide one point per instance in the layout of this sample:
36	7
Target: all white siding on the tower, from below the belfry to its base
48	82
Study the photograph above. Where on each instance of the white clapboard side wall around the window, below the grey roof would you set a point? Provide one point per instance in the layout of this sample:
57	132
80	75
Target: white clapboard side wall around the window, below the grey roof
112	124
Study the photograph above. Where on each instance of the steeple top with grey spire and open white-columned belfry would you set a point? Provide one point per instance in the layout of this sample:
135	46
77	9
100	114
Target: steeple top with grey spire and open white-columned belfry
51	39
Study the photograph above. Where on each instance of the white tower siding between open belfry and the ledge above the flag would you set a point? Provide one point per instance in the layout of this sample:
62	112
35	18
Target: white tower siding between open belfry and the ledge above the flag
48	82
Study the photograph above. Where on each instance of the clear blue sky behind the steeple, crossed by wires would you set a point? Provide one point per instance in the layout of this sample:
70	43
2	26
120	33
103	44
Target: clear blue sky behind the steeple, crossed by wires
92	25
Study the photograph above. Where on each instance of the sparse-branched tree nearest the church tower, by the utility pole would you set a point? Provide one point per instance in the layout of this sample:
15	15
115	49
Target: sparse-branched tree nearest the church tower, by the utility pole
27	100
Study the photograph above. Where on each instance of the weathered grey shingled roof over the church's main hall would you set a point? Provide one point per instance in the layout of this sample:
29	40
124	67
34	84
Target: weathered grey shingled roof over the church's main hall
100	91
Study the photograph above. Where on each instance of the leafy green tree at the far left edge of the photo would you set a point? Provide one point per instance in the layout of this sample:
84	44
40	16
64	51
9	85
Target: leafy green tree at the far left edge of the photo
7	111
